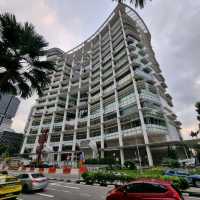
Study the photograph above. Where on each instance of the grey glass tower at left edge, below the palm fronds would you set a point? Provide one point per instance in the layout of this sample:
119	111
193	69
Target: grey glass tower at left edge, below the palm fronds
8	108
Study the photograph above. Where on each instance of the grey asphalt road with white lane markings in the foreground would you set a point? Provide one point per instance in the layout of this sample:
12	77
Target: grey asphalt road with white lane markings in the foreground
71	191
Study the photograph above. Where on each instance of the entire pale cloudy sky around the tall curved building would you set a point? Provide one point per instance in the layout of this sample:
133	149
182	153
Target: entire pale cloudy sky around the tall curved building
174	27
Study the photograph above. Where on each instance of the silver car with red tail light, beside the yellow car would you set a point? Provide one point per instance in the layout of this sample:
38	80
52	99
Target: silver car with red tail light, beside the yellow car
32	181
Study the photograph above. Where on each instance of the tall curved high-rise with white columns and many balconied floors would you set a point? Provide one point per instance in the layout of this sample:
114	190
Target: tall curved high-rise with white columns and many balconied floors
108	90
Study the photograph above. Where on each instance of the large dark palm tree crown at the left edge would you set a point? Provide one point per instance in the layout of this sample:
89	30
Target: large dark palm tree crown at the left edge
22	70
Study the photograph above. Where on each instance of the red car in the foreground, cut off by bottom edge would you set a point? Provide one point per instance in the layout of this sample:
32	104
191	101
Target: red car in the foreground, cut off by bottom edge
145	190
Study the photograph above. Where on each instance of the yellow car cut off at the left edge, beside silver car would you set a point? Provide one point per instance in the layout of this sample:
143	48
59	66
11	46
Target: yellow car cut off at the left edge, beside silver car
10	187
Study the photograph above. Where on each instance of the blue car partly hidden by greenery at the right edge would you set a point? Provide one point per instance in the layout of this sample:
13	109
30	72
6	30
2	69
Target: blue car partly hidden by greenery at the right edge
193	180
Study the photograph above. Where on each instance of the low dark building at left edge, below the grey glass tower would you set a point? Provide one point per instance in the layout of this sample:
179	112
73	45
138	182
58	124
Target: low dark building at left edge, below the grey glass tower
13	140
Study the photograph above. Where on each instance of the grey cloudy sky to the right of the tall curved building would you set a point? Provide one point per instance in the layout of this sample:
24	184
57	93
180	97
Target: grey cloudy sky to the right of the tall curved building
175	30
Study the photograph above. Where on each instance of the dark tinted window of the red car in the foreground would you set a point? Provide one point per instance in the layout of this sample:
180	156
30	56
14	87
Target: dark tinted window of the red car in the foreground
145	188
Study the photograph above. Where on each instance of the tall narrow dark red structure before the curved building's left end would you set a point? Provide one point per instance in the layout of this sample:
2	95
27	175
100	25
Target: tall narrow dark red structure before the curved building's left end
42	140
